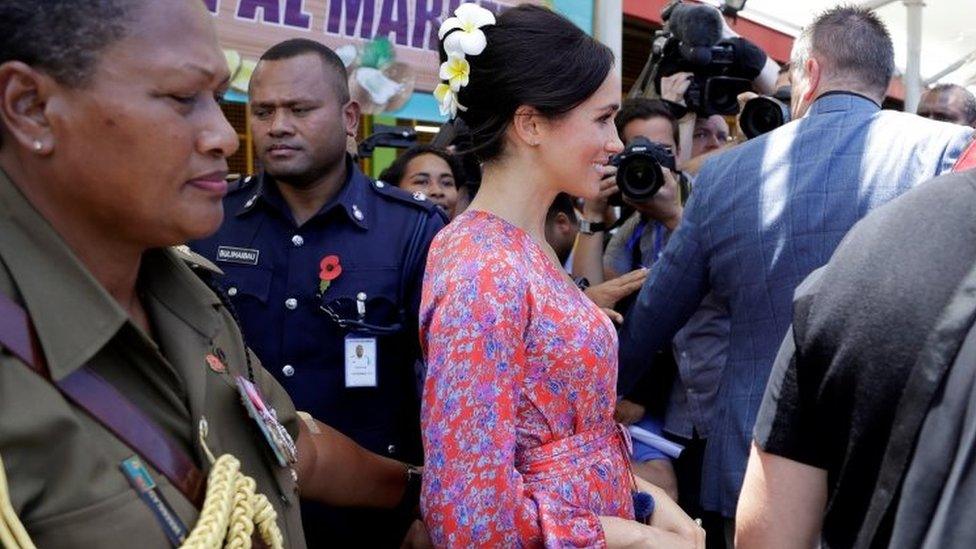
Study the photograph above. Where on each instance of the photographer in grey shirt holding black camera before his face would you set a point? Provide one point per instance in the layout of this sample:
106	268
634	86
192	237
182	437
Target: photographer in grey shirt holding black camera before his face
653	191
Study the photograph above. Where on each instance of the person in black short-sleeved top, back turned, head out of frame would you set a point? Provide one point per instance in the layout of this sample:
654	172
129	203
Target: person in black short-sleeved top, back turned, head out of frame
846	415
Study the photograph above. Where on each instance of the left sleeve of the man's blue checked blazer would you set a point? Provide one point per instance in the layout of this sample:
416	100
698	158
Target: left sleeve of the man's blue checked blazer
670	295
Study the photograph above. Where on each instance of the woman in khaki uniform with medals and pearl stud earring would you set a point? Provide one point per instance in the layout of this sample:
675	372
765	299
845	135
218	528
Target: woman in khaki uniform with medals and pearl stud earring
112	149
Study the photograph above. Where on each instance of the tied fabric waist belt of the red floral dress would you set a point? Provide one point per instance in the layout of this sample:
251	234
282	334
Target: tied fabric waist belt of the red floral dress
573	453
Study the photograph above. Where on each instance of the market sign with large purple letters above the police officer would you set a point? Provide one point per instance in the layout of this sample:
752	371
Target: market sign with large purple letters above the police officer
251	26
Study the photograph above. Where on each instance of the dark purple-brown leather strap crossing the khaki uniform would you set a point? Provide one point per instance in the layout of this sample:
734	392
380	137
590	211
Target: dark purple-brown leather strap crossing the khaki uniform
104	403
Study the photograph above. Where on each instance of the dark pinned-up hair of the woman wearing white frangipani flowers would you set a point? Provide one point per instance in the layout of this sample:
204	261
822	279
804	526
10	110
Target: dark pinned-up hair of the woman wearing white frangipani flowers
534	57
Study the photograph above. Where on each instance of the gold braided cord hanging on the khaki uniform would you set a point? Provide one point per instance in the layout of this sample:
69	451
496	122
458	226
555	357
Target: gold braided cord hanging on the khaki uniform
231	510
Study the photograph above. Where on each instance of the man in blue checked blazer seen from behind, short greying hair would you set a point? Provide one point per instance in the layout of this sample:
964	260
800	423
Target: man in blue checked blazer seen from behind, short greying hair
765	214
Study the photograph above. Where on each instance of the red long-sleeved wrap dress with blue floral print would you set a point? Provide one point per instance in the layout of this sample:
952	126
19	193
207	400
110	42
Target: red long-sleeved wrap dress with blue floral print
521	449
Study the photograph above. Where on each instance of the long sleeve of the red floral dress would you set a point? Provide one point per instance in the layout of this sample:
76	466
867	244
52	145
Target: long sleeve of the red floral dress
474	316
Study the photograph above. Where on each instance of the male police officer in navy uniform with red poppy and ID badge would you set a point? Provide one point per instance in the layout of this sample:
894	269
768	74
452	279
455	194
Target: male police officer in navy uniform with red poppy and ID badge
320	260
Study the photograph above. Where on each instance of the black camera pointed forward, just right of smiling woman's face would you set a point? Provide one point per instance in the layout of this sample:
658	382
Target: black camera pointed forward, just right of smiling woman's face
639	174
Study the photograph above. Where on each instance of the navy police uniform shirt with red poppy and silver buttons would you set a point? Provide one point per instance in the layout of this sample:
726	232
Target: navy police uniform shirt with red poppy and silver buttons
380	235
